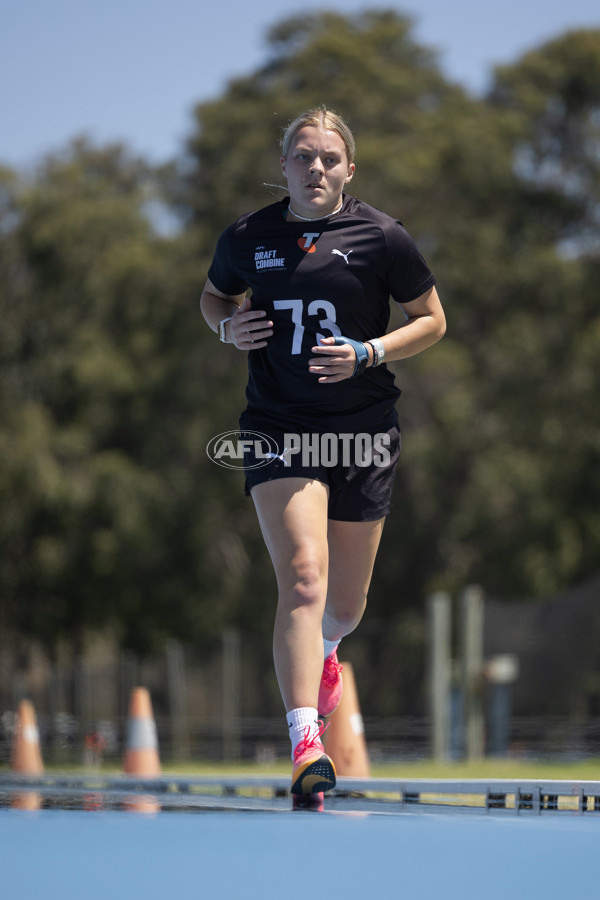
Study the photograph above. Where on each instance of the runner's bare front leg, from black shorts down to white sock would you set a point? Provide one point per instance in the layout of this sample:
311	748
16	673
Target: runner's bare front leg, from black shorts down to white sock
293	517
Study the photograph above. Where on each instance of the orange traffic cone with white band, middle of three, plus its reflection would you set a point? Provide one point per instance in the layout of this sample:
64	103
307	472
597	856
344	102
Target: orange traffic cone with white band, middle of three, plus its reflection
141	748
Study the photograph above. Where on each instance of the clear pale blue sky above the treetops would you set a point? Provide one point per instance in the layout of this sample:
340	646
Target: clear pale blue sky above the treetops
132	71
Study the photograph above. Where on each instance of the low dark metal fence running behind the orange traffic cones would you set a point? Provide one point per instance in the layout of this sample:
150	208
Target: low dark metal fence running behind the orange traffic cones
67	741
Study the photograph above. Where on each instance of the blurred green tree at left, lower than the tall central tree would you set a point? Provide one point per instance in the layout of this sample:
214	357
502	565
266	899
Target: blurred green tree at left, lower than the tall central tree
109	512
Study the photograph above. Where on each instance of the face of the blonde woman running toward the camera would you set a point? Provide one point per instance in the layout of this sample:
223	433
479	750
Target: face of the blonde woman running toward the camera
316	169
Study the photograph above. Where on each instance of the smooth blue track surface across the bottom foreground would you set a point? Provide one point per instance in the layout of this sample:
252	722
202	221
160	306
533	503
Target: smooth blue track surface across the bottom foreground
51	854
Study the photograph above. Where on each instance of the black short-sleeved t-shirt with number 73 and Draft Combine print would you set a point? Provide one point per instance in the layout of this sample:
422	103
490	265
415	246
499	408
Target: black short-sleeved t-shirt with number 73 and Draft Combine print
329	277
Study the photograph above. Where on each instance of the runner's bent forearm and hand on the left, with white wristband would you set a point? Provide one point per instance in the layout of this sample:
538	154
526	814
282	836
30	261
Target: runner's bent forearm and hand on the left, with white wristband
246	328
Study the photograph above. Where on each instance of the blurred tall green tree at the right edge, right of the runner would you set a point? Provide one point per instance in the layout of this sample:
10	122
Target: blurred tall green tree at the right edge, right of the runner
528	508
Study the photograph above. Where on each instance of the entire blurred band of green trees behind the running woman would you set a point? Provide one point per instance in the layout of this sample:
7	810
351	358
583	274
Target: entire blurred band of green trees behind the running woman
111	385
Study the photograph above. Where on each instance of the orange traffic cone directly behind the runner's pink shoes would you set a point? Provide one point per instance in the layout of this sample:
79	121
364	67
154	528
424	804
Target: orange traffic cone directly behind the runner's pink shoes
345	738
